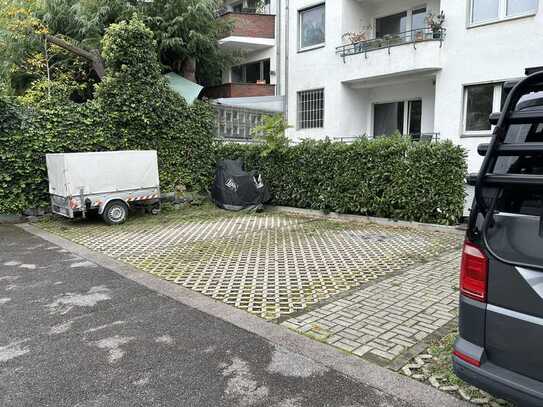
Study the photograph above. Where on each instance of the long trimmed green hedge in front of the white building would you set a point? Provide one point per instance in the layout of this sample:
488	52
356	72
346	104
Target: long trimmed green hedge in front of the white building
387	177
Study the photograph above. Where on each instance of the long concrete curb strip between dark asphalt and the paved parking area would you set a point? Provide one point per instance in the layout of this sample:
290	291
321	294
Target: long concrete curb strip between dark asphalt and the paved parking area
414	393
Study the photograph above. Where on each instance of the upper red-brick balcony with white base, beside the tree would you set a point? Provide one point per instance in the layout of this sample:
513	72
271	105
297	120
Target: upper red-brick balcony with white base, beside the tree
250	31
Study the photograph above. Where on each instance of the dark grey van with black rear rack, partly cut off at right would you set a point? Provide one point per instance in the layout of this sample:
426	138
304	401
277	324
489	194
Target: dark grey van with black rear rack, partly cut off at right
500	346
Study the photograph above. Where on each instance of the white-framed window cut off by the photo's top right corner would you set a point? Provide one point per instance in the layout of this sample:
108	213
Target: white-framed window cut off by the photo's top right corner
483	11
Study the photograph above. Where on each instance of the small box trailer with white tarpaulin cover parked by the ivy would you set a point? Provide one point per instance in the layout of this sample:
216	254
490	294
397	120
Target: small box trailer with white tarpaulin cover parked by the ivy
106	182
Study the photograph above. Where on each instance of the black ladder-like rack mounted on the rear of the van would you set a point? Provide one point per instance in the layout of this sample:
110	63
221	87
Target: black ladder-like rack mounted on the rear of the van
498	148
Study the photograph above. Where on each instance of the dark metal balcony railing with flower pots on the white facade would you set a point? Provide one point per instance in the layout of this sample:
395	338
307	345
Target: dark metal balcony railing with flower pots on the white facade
392	40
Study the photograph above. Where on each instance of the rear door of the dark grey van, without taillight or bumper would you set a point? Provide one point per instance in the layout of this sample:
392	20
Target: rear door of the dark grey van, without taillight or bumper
514	245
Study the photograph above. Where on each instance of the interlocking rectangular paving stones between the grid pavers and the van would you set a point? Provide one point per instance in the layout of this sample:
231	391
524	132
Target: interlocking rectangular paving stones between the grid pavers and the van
388	318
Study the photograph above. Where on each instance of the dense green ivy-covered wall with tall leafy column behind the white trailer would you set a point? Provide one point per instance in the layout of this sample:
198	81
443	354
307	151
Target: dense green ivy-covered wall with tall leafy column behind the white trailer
133	109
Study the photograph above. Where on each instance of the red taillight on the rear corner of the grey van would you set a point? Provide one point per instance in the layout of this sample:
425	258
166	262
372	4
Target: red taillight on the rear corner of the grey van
473	272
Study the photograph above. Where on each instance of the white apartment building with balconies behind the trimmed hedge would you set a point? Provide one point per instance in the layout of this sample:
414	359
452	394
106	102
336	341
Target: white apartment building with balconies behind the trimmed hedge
394	73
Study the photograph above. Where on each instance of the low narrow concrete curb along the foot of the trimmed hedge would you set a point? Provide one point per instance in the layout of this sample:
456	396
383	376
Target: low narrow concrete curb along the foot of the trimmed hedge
365	219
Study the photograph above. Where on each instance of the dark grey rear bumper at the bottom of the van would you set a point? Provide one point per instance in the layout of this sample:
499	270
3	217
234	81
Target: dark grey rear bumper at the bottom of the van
501	382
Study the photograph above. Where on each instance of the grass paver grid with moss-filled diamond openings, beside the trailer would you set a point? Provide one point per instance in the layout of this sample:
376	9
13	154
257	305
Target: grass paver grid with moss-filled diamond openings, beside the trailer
270	265
